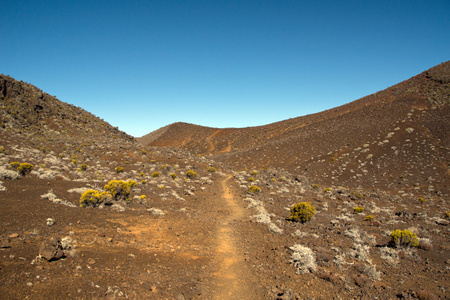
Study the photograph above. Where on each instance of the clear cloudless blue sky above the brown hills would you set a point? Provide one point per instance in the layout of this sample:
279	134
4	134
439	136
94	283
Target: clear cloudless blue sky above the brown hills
141	65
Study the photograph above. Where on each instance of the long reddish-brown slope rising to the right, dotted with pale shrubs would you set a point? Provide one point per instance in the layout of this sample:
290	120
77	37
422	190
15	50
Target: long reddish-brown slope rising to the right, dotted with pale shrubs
398	138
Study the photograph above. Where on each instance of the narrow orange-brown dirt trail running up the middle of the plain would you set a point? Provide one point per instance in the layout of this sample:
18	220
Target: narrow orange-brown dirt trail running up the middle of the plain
232	274
